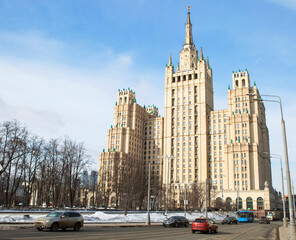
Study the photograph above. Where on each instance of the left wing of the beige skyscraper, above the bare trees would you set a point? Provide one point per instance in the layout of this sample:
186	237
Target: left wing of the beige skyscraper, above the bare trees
134	139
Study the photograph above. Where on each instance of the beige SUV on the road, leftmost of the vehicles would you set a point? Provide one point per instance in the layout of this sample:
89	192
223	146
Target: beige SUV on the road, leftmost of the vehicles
63	220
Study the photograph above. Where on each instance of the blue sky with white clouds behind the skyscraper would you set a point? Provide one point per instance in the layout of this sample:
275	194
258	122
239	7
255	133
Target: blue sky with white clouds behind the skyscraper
61	62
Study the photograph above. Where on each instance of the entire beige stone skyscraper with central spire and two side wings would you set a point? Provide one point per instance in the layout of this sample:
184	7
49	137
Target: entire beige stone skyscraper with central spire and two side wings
226	149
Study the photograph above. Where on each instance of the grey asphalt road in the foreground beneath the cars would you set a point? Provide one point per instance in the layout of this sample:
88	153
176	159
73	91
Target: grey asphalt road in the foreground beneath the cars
243	231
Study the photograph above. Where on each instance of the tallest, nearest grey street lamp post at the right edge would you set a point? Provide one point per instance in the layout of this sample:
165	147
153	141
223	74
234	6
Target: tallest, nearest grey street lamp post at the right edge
291	212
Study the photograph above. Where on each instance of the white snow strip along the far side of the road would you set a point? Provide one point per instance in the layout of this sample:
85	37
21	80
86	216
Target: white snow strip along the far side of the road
103	217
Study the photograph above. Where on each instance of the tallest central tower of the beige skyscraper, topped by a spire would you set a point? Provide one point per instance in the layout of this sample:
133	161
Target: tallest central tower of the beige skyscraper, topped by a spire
188	105
